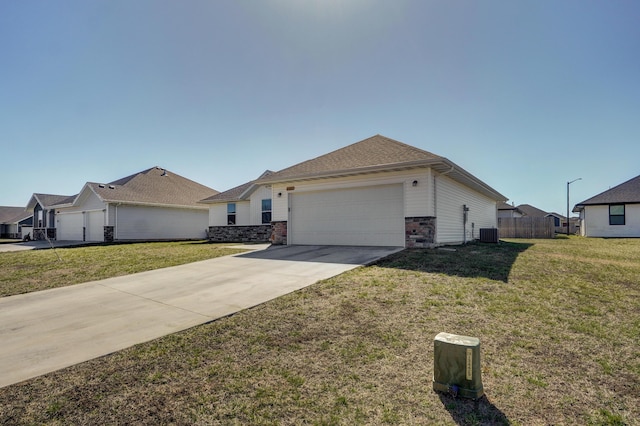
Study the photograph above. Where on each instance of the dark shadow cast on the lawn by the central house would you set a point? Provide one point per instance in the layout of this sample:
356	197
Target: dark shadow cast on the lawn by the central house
492	261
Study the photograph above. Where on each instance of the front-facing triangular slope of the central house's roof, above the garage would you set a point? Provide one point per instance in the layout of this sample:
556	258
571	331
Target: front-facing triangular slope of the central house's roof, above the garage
375	152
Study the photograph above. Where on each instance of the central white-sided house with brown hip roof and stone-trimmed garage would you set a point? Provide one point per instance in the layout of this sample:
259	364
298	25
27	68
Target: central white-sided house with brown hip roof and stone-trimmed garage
376	192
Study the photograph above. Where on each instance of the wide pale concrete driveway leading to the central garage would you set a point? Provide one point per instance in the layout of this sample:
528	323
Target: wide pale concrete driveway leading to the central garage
47	330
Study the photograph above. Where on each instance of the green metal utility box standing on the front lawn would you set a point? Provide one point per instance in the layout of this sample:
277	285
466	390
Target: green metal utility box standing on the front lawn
456	365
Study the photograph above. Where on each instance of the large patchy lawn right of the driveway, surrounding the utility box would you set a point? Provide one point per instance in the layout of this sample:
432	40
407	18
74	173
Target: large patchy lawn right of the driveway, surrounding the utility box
558	320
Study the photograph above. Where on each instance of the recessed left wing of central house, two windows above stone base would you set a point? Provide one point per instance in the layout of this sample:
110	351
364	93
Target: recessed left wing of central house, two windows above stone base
241	214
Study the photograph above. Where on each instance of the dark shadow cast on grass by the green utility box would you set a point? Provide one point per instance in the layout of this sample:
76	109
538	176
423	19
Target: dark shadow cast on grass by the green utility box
470	412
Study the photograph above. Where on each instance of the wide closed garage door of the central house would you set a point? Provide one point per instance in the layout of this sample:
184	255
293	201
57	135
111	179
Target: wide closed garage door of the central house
370	216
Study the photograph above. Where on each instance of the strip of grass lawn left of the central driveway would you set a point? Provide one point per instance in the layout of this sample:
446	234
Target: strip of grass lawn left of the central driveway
33	270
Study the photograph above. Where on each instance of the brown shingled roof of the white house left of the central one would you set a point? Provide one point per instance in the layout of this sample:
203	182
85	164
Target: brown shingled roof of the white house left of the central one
154	186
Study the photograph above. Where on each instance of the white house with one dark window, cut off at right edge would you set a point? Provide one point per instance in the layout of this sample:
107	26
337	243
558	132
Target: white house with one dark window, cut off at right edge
612	213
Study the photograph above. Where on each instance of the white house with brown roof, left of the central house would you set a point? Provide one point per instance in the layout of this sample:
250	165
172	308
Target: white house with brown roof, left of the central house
154	204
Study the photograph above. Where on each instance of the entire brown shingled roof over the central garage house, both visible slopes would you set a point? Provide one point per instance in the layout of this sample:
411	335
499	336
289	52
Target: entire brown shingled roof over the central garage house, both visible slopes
375	154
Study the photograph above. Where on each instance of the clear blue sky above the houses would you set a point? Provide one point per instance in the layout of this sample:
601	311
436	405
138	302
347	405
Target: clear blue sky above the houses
525	95
